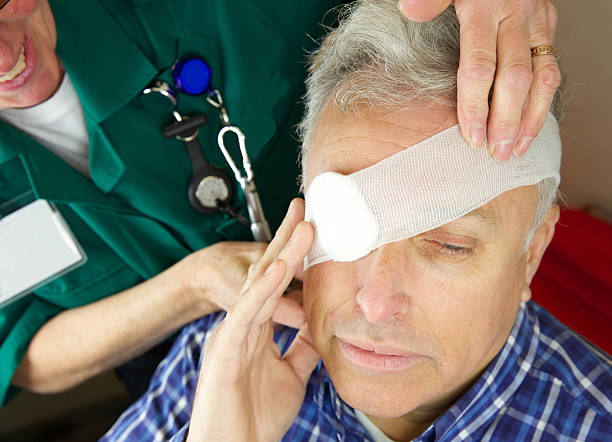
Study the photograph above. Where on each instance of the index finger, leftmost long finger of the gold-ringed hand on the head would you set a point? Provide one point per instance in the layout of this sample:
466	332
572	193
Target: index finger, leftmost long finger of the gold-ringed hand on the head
477	63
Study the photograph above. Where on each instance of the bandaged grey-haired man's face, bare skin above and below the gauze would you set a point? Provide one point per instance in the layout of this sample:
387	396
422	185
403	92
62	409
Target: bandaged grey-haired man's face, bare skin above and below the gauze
412	324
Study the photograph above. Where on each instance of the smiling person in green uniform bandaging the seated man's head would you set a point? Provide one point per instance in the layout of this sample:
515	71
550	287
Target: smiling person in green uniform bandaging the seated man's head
76	134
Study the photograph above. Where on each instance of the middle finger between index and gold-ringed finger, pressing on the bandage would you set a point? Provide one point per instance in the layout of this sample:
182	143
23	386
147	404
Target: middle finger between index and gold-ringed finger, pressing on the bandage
512	83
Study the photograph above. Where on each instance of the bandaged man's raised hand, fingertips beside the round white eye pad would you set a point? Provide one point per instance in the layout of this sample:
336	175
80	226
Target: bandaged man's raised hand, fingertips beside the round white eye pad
247	391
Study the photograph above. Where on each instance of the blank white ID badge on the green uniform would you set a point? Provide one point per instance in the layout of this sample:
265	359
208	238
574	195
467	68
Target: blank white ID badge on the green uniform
36	246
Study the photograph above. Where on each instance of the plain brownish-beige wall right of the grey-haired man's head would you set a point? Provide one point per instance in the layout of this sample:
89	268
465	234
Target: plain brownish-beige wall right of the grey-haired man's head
584	39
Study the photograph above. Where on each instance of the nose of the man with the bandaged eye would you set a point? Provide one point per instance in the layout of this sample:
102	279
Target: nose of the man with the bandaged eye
381	287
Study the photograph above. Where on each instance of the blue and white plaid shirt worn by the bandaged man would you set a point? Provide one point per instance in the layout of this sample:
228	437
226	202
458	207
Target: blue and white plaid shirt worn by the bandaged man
545	384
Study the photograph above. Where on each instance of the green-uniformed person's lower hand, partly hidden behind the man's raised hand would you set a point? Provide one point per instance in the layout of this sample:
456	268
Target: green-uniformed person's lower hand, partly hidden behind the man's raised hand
215	274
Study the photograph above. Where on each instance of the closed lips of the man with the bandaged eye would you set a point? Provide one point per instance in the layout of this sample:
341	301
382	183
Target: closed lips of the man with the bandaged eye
377	357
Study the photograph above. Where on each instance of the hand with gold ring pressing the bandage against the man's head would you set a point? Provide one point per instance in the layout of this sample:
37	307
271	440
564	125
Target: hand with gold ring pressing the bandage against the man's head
496	37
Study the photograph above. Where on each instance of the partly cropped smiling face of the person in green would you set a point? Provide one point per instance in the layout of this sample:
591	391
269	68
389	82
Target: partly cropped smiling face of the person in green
30	70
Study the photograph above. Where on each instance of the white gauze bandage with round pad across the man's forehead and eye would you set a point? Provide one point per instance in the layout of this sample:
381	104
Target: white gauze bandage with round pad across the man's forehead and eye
418	189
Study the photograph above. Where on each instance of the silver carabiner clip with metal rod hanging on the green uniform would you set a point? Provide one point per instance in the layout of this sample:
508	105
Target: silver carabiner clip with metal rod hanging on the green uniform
259	225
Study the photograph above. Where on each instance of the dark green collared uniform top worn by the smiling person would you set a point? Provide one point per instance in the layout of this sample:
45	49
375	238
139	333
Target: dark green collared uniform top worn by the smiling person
133	217
